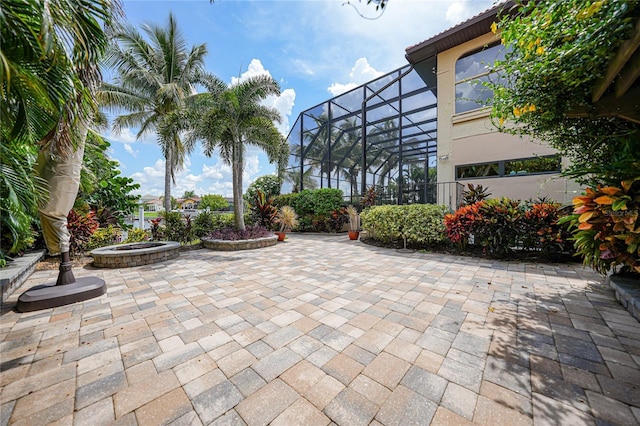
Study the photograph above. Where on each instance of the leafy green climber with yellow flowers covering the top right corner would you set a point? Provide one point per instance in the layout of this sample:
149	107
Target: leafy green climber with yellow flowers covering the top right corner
557	80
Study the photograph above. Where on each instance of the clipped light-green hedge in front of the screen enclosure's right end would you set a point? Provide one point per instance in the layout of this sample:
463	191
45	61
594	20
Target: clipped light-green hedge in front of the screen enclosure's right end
419	223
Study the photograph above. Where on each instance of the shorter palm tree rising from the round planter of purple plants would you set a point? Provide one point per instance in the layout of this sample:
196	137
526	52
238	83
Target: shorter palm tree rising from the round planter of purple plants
234	119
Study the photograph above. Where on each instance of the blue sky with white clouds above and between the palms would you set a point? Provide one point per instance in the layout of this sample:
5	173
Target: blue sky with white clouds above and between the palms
316	49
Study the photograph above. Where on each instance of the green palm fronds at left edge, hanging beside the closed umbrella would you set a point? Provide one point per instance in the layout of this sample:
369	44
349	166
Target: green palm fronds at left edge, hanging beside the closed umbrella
48	68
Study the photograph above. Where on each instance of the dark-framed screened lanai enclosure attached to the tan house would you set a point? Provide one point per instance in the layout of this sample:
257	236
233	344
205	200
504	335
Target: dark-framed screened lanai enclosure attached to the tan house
399	148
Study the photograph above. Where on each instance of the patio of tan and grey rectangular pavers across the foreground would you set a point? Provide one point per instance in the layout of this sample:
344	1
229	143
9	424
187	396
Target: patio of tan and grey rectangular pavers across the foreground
321	330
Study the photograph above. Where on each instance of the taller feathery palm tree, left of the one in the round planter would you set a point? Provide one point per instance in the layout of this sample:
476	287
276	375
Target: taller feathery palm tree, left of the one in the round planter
155	79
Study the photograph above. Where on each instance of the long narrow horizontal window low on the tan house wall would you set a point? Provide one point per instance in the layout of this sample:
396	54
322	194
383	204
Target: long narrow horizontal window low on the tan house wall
517	167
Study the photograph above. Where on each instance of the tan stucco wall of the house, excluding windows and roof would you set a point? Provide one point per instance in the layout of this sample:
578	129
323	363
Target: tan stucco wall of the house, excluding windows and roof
470	137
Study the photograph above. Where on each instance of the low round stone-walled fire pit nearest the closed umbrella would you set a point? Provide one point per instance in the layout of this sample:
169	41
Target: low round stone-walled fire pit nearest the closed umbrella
135	254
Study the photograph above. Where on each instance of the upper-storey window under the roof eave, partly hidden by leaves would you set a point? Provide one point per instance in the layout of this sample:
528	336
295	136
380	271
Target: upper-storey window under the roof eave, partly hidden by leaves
472	70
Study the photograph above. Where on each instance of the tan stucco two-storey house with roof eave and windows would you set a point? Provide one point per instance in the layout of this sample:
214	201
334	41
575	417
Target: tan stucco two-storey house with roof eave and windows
470	148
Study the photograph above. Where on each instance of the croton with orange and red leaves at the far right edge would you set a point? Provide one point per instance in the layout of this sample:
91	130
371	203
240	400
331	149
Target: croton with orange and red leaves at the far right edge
608	230
